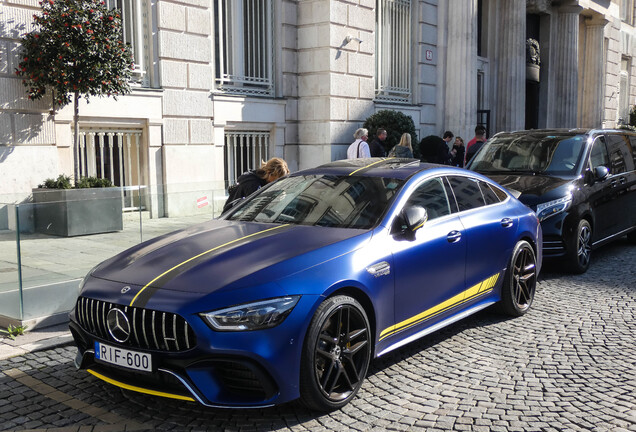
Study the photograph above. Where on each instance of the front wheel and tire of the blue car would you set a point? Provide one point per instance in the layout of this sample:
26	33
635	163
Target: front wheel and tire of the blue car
336	354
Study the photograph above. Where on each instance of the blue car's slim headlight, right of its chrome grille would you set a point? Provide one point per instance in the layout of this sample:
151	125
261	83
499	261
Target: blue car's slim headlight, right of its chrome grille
251	316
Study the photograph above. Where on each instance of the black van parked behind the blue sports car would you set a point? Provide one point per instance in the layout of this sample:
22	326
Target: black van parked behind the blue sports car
581	184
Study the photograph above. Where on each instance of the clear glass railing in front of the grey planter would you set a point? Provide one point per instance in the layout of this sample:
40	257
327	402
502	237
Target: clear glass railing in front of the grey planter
49	242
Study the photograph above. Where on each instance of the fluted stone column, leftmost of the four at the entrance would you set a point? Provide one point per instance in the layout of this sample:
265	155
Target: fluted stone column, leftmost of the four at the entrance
460	104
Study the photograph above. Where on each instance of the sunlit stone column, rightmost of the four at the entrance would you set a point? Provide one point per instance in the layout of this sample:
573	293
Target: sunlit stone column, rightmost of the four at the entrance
591	106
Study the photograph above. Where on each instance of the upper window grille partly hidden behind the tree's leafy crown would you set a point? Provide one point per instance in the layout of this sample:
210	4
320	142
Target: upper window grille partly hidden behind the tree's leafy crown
135	32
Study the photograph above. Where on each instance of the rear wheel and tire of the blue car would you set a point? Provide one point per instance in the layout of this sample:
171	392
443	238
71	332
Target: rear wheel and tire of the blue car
520	281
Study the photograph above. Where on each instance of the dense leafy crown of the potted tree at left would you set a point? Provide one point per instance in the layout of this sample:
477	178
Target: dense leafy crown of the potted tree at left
75	48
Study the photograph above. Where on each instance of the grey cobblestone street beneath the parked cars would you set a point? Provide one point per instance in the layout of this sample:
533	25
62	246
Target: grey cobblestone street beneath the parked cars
568	365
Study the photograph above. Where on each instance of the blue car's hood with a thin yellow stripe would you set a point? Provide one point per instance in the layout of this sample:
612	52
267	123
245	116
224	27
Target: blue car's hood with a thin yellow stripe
219	254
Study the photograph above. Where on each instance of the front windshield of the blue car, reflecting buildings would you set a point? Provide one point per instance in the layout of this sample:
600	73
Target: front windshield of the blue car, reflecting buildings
323	200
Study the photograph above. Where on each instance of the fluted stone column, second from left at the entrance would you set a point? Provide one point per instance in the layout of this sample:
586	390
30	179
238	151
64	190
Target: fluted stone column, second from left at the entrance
511	67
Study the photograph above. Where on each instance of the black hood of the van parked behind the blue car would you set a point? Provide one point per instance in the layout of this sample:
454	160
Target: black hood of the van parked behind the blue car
533	189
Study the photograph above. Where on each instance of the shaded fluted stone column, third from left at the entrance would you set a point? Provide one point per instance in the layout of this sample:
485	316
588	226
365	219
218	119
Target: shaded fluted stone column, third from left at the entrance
566	66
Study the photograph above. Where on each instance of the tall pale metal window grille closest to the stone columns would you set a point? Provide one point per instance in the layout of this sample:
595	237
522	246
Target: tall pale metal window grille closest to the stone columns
393	60
